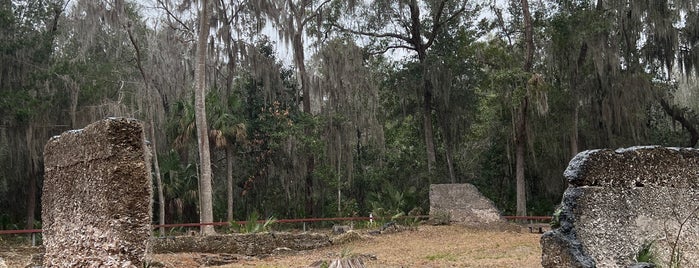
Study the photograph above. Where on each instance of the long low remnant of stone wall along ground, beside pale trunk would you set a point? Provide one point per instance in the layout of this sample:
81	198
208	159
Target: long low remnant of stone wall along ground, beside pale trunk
246	244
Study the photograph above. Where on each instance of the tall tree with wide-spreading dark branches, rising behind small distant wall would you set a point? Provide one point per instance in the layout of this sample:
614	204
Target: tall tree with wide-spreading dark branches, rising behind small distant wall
402	24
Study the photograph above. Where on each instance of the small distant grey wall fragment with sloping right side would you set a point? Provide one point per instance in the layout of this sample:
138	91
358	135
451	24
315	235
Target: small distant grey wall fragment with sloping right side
464	202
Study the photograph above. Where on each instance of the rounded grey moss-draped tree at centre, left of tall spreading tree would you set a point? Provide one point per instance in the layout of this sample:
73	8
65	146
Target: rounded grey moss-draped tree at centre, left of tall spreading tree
351	111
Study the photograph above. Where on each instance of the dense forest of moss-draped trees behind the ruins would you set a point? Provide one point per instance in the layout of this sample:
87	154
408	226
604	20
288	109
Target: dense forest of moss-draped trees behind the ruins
326	108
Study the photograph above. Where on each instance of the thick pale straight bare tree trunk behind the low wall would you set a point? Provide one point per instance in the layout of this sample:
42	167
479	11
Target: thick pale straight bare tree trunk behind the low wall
206	210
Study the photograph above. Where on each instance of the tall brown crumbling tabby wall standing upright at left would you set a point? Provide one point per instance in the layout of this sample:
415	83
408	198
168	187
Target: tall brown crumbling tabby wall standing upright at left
96	205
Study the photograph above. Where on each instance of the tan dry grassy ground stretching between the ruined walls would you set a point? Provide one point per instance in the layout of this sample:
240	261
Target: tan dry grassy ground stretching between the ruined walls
429	246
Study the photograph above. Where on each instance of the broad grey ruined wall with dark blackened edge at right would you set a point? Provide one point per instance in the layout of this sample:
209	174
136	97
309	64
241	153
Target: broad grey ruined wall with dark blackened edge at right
620	201
